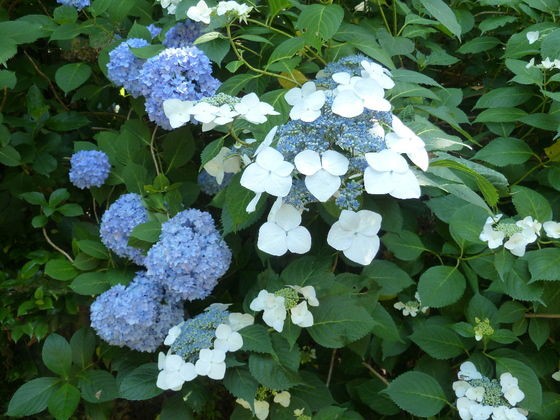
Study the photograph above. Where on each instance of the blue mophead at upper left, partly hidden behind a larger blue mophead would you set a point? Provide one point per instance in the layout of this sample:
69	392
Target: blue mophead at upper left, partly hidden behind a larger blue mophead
124	67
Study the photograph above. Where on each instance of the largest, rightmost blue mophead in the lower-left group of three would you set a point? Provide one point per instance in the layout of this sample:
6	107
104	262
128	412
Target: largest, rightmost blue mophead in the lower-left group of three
189	257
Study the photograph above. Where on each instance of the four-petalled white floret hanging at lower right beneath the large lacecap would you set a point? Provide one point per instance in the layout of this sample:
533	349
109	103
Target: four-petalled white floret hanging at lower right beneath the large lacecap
355	234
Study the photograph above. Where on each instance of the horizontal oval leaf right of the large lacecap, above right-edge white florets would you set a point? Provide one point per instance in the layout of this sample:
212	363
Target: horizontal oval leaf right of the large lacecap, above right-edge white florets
505	151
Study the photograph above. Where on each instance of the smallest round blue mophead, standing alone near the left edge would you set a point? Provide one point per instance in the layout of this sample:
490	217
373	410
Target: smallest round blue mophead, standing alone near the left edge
89	168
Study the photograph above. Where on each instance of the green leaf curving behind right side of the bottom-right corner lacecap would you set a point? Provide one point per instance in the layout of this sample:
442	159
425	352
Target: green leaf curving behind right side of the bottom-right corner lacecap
528	381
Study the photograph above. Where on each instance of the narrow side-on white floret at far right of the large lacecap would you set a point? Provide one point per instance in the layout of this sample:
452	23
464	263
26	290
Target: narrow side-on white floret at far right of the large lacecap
404	140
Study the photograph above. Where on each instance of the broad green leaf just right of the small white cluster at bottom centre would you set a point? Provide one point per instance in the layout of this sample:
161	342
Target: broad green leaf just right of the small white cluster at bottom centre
338	320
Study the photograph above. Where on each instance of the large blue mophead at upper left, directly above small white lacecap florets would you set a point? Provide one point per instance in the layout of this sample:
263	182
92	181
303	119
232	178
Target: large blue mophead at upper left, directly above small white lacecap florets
176	73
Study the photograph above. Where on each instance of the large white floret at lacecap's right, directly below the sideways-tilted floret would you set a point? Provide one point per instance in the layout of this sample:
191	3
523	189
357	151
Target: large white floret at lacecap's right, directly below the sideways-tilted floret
388	173
